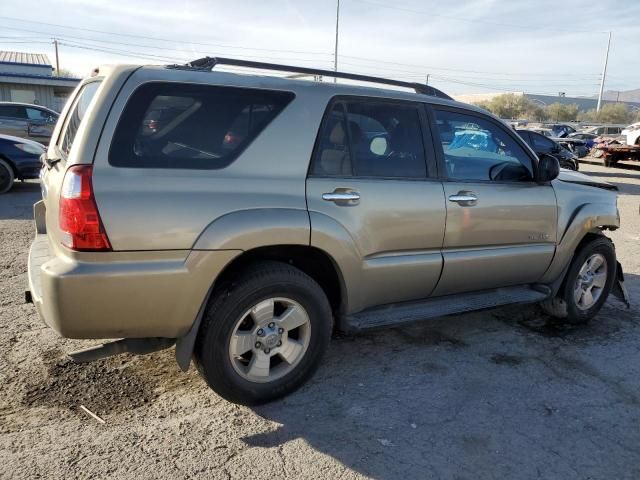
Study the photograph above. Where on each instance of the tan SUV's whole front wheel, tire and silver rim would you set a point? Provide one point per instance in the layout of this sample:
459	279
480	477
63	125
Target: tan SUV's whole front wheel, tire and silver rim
587	284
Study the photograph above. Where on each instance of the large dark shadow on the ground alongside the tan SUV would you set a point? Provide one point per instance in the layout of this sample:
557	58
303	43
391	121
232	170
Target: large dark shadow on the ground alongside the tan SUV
482	395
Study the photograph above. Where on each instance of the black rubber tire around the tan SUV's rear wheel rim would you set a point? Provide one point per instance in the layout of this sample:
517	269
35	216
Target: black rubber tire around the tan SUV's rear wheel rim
227	305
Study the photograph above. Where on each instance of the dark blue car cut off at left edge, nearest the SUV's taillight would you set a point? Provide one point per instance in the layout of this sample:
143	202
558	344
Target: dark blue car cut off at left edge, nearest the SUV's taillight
19	159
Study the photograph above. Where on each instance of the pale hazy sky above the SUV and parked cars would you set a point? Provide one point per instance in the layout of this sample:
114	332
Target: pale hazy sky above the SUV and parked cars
473	46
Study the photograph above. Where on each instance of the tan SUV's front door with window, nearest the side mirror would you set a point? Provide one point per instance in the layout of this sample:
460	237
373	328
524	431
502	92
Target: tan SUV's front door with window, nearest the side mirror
501	224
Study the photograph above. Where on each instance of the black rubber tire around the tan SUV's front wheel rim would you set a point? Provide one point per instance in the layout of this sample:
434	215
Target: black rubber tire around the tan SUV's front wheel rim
564	305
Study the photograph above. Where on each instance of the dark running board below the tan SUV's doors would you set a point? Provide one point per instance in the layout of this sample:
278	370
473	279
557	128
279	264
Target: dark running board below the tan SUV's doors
401	313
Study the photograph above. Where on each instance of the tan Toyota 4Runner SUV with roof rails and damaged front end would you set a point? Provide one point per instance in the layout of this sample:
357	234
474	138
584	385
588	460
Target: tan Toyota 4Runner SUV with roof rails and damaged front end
244	218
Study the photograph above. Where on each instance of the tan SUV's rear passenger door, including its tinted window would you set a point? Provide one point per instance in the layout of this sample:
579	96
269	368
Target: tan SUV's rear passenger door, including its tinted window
374	201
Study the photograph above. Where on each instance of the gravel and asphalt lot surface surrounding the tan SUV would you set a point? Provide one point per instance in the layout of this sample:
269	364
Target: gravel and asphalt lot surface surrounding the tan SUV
497	394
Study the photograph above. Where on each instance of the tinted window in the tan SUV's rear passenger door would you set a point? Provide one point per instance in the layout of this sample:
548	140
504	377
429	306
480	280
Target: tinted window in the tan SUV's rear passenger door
371	139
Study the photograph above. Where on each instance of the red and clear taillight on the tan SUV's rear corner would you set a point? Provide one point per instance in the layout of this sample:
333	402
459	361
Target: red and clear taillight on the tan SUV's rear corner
78	214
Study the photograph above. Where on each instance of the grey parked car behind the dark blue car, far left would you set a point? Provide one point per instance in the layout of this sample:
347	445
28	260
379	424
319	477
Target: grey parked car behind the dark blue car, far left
24	120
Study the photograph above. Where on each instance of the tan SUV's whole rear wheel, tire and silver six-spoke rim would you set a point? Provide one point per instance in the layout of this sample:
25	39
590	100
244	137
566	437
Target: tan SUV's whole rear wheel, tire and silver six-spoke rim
263	334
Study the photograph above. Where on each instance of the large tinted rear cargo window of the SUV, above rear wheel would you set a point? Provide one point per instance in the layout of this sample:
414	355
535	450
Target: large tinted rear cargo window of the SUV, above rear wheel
168	125
